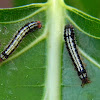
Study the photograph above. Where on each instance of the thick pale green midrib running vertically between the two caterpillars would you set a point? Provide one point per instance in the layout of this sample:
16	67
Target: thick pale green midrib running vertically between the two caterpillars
56	25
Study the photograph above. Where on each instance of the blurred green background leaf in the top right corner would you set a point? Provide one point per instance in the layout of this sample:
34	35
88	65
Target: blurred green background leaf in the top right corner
91	6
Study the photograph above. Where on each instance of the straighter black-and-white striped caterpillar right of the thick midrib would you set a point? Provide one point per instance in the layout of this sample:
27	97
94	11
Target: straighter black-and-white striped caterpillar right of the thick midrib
69	37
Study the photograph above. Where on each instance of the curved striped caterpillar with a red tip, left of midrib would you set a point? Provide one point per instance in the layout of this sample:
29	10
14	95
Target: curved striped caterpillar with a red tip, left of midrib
29	27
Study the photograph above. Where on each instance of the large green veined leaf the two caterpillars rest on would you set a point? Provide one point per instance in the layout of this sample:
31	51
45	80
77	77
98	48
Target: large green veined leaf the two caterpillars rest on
40	68
